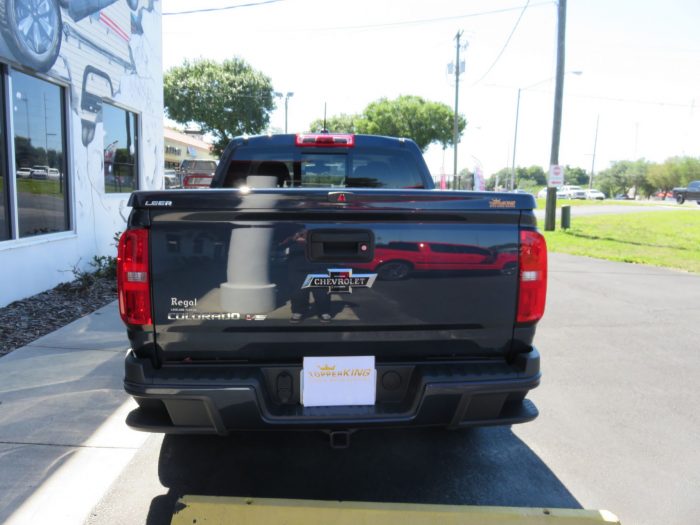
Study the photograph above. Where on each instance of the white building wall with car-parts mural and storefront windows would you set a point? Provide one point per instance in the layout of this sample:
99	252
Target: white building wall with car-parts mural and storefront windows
81	126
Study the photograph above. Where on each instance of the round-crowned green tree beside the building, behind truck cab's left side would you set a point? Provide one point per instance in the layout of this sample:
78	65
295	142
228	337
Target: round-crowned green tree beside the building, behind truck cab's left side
225	99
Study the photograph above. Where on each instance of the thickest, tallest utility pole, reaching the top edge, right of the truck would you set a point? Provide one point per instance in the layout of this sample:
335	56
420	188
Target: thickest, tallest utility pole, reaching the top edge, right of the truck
551	206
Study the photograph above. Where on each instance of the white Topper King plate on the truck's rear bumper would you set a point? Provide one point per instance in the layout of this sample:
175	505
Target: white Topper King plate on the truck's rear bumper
338	381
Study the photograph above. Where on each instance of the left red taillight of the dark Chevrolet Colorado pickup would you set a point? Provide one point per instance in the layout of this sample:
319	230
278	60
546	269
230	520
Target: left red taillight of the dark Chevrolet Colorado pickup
133	279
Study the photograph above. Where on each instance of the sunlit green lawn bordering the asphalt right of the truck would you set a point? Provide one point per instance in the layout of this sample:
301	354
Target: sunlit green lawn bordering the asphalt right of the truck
669	239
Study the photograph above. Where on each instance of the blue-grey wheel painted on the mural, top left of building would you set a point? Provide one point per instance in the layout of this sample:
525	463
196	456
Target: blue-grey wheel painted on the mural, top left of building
32	30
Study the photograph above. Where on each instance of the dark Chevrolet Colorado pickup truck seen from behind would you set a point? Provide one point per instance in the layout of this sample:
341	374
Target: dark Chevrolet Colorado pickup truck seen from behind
272	300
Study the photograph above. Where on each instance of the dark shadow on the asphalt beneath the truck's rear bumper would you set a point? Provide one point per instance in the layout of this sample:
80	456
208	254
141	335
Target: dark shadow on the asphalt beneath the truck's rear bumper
486	466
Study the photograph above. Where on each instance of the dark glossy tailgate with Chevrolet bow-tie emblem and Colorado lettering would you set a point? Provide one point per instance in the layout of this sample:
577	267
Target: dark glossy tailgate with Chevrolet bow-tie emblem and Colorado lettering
422	274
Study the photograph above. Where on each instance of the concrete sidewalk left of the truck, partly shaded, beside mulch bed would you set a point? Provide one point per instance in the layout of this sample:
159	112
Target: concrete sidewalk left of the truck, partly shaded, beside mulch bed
62	434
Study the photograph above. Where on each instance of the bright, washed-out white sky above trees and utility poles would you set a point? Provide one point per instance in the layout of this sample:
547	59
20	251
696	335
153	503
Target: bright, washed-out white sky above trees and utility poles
639	64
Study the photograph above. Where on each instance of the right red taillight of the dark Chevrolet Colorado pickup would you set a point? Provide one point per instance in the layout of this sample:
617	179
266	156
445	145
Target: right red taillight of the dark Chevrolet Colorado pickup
532	285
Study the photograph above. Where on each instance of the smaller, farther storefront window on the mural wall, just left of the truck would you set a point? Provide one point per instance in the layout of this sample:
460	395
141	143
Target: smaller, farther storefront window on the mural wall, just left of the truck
120	143
